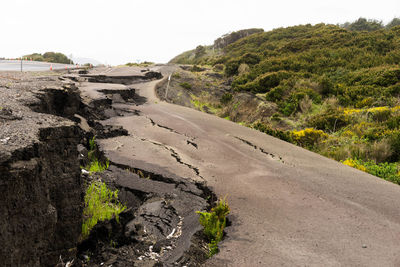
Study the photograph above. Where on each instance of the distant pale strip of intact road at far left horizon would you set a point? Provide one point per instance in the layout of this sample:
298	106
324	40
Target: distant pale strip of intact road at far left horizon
15	65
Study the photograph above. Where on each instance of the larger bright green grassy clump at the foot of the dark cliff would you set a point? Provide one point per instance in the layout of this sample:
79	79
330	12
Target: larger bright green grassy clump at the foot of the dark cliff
101	203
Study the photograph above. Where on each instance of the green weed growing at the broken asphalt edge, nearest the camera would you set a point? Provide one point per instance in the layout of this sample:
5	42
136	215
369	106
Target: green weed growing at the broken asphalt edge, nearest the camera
214	223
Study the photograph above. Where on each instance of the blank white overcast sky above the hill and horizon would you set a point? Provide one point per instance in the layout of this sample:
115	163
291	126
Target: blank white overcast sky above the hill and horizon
121	31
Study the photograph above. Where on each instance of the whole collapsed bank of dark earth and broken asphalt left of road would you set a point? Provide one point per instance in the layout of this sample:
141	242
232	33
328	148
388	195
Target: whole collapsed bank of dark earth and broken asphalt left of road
47	120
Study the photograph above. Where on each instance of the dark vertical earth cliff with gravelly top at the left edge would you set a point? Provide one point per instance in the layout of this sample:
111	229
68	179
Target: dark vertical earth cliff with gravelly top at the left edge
40	182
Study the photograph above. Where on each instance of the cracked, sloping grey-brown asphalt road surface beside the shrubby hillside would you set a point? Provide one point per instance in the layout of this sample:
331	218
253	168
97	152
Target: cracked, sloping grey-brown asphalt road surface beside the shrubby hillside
289	206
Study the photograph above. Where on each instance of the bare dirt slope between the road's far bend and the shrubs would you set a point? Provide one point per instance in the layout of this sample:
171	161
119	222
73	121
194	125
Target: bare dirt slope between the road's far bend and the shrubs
210	92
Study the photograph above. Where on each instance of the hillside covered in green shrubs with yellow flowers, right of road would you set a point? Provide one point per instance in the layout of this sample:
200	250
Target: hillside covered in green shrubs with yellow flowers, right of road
332	89
